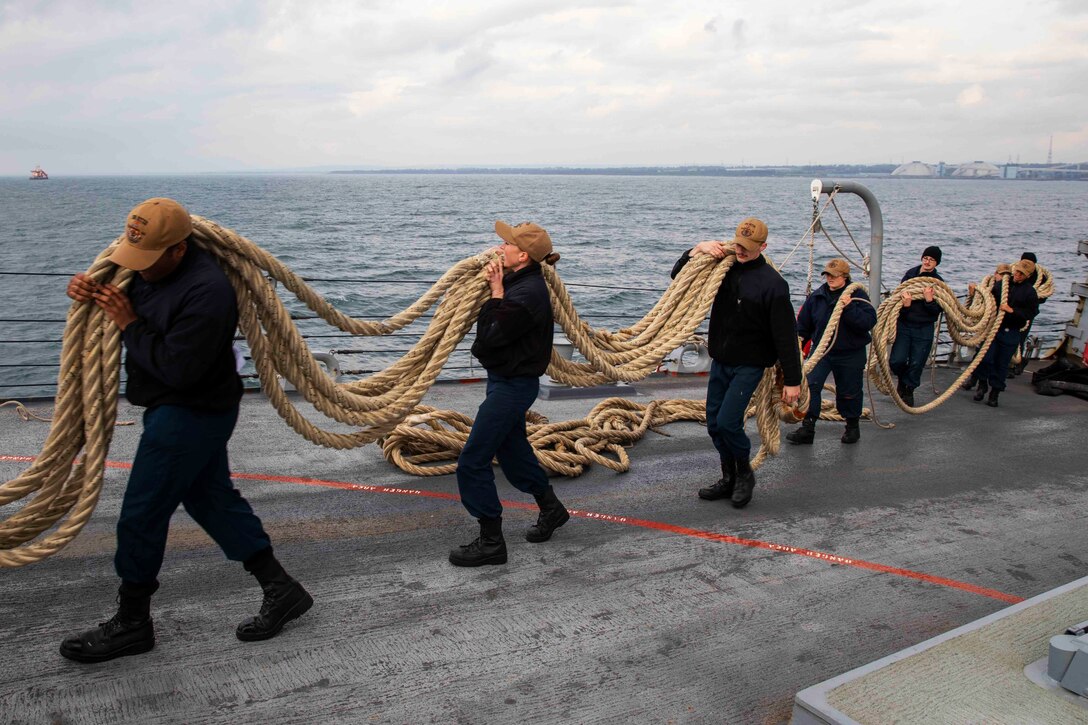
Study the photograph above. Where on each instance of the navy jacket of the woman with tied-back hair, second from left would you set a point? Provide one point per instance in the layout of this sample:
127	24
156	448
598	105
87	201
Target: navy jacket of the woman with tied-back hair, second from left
514	335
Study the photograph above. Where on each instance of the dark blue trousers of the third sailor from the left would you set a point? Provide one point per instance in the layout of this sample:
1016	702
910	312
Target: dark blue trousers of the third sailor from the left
728	395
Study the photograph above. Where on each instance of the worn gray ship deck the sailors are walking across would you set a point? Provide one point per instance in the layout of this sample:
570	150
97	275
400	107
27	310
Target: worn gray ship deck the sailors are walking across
663	609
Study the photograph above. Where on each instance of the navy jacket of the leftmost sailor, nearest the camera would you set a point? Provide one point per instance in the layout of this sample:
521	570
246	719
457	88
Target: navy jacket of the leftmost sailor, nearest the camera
180	349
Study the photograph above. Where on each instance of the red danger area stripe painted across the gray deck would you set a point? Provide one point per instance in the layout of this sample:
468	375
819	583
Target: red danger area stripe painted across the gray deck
659	526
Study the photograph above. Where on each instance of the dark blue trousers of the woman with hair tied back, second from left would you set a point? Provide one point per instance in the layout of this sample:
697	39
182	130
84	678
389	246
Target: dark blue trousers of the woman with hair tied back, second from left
500	433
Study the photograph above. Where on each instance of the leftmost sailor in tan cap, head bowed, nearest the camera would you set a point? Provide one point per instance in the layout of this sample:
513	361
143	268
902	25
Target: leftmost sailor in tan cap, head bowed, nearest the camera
178	321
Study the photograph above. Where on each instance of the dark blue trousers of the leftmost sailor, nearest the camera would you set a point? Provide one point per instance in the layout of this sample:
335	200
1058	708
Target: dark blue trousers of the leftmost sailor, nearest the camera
182	460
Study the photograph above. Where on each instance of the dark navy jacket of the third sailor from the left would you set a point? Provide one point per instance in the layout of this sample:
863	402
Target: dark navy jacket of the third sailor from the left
752	320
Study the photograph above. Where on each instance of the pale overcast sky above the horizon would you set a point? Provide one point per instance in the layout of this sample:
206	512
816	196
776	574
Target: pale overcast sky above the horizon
149	87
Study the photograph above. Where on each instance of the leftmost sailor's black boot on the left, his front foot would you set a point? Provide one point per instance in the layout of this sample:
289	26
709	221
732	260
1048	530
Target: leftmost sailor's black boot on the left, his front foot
129	632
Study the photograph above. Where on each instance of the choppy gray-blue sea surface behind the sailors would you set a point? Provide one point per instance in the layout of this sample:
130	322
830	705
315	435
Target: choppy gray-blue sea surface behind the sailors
374	243
